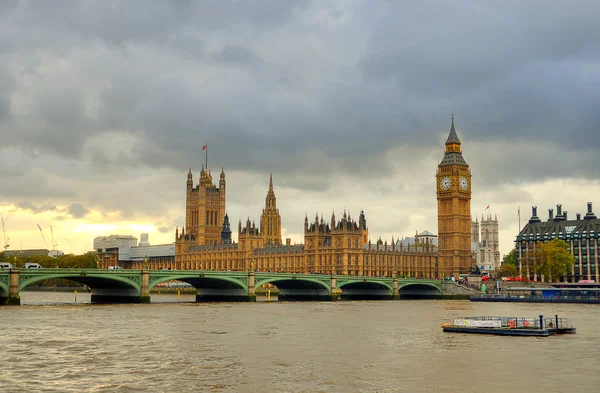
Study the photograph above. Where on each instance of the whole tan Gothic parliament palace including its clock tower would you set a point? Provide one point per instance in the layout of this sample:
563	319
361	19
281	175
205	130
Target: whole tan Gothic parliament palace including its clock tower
336	245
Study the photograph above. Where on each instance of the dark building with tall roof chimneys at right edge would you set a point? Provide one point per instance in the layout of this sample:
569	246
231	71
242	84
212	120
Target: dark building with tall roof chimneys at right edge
580	234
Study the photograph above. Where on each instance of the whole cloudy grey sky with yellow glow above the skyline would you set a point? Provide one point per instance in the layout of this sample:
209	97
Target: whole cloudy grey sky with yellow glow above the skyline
104	105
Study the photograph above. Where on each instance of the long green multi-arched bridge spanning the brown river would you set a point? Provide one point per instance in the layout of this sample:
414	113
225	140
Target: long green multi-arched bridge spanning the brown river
134	286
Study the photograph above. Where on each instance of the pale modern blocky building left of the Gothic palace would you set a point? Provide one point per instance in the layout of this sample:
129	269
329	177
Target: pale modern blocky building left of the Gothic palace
124	251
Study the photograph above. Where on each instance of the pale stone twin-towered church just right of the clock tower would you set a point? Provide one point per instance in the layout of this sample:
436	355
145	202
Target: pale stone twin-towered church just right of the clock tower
486	248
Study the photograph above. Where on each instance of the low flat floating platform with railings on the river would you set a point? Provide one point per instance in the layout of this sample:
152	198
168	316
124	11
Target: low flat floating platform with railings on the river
510	326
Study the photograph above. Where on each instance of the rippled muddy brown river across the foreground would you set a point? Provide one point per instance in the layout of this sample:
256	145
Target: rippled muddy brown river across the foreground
52	344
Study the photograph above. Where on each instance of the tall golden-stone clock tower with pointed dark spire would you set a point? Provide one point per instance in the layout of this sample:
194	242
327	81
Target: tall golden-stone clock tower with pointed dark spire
454	209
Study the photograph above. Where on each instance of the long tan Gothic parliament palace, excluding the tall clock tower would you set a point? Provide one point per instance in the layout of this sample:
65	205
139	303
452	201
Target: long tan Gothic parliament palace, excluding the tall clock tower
335	247
